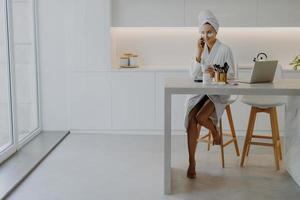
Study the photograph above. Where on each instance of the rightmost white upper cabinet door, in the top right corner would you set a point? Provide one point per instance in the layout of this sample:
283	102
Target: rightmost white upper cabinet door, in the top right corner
278	13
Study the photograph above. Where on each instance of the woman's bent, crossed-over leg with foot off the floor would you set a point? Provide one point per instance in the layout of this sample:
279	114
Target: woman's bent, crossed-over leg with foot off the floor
203	119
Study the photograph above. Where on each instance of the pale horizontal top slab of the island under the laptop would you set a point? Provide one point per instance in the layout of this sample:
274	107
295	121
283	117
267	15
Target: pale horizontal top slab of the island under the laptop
284	87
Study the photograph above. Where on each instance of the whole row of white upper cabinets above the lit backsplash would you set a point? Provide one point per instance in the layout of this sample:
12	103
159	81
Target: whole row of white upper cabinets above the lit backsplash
184	13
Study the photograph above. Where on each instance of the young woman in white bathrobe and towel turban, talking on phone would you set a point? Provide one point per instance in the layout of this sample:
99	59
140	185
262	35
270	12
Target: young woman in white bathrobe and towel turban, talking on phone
206	110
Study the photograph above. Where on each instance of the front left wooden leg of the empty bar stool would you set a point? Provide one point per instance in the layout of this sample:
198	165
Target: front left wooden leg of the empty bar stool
250	128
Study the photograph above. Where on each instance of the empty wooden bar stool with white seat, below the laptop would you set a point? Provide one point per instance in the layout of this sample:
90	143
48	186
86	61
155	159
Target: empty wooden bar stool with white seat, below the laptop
263	104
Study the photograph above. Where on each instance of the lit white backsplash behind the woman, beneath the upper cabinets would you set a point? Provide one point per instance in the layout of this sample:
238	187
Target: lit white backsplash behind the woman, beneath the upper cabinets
176	46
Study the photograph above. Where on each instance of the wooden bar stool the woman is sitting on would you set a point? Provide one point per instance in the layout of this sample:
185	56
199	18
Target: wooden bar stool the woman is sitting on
208	137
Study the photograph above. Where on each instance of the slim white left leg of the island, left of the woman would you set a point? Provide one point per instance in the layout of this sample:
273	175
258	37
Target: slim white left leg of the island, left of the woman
167	143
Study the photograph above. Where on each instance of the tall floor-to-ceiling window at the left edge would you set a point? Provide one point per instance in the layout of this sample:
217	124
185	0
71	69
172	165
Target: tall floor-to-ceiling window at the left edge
19	94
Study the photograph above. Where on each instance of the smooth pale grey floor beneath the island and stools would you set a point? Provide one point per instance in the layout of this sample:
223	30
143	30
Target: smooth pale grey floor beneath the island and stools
88	167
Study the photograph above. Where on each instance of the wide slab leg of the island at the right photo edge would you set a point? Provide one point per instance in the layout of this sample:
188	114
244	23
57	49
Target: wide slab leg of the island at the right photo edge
292	137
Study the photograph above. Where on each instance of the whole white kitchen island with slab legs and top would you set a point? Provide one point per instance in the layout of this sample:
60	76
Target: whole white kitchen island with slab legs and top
284	87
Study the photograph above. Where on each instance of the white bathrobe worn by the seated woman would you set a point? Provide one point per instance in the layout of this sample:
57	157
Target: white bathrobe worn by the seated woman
219	54
